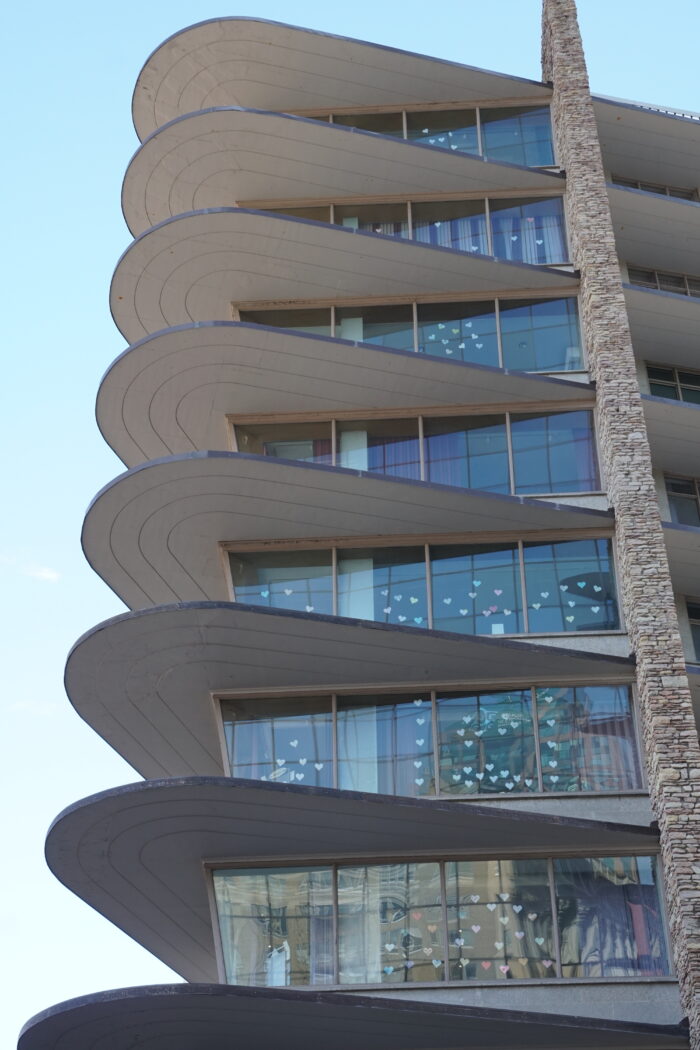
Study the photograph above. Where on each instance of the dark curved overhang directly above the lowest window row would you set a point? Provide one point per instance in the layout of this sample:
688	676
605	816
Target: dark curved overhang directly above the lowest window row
137	853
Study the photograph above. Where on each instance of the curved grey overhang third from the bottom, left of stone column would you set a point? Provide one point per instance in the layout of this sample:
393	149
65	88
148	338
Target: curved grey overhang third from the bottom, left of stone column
145	682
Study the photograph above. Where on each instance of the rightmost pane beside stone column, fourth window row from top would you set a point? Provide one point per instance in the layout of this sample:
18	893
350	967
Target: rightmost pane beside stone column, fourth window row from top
555	453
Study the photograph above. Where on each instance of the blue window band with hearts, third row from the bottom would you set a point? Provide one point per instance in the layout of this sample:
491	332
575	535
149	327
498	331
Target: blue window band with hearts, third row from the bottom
475	589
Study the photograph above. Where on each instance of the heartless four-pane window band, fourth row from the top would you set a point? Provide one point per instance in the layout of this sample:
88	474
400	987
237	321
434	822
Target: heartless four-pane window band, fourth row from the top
550	452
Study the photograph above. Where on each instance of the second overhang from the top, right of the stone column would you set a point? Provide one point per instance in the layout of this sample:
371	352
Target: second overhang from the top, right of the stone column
655	232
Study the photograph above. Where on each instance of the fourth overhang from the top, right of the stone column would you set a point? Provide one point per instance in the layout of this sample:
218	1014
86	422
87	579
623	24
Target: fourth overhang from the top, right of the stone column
674	435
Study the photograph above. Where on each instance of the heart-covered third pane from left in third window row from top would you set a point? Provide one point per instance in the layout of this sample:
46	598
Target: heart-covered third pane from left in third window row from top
459	331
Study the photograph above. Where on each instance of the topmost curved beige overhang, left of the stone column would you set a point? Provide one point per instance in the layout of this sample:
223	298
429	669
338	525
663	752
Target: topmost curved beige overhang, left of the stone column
270	66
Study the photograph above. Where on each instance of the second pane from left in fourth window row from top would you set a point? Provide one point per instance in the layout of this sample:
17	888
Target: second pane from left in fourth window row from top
380	447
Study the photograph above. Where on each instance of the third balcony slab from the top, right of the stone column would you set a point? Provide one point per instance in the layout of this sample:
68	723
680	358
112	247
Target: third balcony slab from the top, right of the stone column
665	326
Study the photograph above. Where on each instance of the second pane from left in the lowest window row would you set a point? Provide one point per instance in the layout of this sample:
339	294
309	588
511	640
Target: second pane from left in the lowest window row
390	925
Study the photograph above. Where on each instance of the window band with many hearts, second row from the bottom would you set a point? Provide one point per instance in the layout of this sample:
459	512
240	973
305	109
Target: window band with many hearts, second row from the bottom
536	740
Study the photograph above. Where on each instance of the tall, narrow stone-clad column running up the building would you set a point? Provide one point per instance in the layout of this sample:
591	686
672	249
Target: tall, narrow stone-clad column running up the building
669	730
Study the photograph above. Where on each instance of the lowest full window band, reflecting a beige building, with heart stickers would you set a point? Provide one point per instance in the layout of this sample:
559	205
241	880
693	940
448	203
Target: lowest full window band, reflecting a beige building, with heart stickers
441	922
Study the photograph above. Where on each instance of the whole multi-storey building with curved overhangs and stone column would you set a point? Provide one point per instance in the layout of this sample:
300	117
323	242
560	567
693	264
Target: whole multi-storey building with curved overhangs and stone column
410	536
